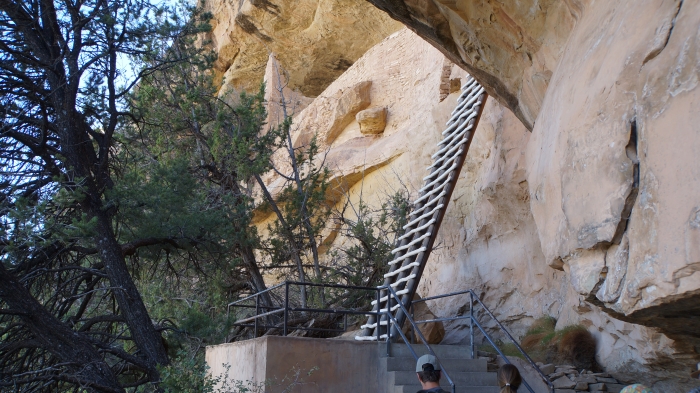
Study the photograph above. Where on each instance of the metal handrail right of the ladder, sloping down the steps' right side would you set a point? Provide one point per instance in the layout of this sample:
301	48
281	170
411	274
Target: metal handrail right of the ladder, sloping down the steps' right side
473	320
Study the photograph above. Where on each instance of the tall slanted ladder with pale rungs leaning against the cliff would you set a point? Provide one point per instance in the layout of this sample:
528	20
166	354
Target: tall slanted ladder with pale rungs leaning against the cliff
415	245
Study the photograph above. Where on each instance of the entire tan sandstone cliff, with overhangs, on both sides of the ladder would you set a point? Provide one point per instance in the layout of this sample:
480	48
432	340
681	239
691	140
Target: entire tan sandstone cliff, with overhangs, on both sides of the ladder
580	196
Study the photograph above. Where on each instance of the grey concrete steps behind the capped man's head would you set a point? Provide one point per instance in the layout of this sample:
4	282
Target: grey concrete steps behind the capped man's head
469	375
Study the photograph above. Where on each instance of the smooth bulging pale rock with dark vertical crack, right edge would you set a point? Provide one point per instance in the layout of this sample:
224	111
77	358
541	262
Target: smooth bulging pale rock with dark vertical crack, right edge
618	158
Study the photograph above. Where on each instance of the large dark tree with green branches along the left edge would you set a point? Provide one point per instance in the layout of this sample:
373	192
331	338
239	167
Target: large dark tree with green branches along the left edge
76	196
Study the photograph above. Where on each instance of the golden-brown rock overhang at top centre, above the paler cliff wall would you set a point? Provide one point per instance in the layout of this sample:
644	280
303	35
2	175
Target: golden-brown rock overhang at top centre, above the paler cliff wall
314	40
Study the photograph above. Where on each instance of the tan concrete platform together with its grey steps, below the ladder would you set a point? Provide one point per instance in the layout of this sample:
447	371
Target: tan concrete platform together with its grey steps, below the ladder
339	366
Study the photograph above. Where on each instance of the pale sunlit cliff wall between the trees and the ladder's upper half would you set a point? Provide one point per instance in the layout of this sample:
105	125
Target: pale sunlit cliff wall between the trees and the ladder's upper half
369	163
